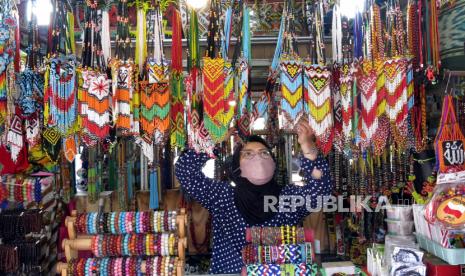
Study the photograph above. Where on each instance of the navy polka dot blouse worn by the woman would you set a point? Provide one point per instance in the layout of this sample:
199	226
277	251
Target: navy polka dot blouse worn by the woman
228	224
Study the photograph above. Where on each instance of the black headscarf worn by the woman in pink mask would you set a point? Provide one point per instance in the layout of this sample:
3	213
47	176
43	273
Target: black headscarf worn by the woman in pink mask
248	197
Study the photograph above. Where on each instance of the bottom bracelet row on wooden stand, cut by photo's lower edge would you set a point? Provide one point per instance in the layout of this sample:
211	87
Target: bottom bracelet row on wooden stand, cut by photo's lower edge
122	266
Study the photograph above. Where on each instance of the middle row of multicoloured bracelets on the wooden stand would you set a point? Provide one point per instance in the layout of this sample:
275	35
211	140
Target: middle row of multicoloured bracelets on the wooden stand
162	244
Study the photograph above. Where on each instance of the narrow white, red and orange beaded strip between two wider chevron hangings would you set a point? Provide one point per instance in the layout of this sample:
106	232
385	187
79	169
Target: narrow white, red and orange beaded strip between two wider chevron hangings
346	100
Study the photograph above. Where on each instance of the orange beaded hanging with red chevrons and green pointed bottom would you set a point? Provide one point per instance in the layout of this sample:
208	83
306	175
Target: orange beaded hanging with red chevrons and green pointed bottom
213	97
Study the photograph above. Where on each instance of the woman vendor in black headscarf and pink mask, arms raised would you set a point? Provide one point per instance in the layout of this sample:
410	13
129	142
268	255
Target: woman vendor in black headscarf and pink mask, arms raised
239	203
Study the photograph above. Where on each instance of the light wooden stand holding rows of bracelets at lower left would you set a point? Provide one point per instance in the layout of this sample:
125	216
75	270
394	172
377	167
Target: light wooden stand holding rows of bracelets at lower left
77	243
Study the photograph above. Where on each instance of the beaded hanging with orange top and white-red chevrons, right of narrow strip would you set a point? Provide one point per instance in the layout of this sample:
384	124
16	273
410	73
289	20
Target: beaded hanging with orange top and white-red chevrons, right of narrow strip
366	84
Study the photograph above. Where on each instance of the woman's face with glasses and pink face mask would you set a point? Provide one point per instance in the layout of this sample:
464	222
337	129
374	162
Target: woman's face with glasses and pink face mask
257	165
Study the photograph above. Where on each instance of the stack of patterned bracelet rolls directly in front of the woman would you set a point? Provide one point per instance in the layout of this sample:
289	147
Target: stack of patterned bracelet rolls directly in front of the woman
276	250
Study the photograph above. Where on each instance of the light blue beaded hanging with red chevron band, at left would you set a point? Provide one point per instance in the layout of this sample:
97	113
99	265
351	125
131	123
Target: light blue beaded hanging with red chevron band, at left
60	95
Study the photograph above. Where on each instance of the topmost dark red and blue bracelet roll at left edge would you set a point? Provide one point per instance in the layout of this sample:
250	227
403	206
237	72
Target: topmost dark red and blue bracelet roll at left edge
21	190
